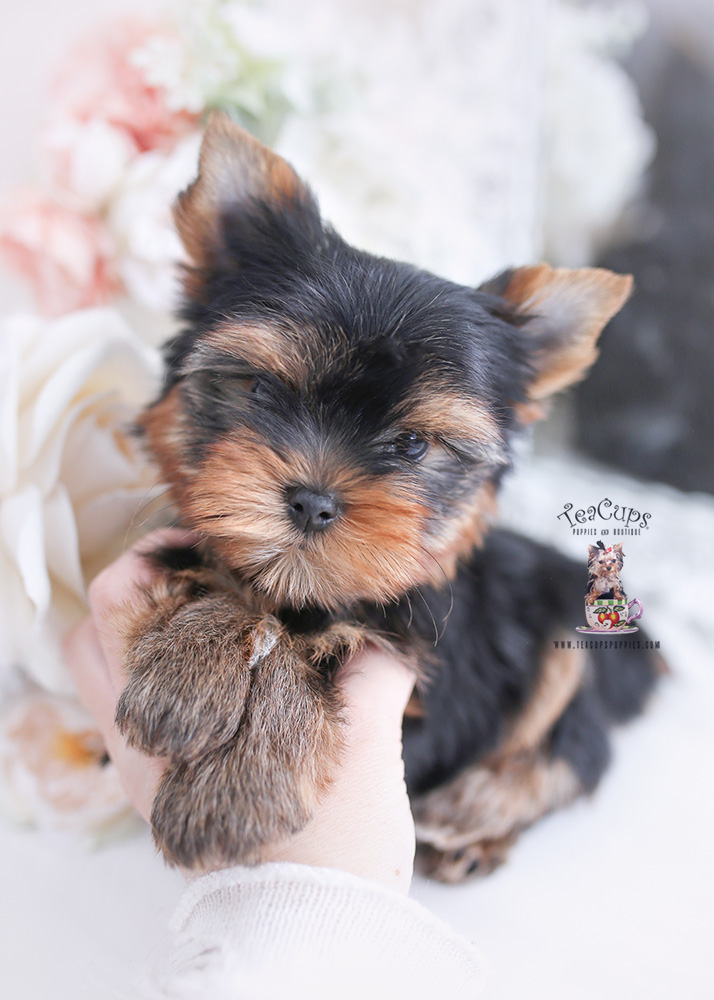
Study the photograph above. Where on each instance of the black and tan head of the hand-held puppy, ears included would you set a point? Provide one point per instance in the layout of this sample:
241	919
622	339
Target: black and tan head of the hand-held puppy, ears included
335	423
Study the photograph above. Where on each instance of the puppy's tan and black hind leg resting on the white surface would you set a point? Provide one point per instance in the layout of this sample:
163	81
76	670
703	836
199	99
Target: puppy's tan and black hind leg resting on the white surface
557	748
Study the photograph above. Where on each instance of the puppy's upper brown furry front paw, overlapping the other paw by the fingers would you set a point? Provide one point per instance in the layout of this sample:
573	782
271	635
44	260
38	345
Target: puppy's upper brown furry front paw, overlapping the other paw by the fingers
189	677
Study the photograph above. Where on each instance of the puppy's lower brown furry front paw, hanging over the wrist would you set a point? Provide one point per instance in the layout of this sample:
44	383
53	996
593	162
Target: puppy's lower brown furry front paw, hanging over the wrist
263	787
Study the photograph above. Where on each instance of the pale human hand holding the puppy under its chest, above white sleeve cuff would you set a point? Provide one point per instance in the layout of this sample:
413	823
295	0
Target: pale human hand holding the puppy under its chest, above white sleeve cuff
363	824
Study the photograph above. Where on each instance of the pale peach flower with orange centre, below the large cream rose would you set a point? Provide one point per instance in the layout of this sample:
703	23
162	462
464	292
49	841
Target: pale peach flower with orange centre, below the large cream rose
54	773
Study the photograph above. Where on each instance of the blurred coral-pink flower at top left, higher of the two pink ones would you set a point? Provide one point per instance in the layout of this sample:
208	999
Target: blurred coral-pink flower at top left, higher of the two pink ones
98	81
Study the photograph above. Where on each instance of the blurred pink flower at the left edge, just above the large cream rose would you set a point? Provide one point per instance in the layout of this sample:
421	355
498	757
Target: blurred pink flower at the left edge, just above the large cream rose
65	255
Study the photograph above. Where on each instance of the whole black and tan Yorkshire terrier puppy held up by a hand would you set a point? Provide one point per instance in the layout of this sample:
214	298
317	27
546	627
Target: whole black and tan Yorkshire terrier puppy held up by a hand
335	426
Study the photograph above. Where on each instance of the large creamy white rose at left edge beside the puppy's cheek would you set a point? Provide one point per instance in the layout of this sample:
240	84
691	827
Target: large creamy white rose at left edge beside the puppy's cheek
71	476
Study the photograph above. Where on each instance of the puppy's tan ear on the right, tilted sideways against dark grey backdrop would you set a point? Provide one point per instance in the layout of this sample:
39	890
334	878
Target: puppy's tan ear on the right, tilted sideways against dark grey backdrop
562	312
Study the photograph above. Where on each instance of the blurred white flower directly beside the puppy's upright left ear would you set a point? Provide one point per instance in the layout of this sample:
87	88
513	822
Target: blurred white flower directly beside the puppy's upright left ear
147	247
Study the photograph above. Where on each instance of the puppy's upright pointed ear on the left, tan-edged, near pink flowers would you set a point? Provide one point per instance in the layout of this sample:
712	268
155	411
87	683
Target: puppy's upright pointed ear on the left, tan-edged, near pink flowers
237	176
